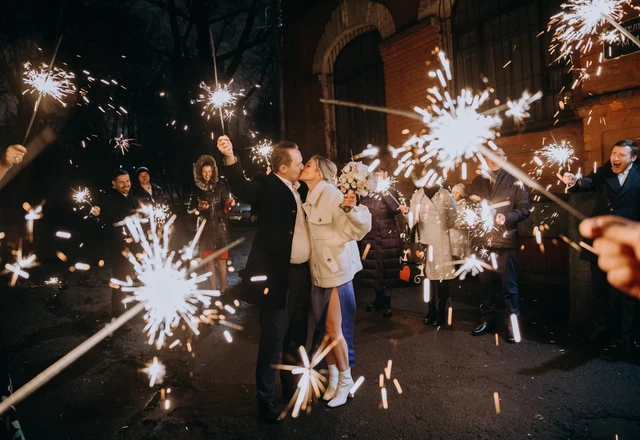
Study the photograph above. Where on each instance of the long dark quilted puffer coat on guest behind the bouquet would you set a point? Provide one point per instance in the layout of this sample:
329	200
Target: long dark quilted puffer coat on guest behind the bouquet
381	268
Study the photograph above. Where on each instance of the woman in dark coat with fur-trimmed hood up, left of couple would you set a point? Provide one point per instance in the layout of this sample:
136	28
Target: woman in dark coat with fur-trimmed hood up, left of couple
210	200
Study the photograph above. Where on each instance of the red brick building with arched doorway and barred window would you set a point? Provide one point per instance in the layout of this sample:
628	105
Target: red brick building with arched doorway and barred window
380	52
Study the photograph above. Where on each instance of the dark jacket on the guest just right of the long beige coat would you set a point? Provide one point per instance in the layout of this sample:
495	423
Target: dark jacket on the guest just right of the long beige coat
506	188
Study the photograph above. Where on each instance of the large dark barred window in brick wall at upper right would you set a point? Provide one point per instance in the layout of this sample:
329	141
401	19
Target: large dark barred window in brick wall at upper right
504	44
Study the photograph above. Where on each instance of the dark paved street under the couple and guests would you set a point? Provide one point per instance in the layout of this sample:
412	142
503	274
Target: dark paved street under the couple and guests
550	385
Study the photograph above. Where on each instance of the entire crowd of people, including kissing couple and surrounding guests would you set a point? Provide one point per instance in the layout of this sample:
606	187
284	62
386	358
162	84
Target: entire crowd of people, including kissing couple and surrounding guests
312	240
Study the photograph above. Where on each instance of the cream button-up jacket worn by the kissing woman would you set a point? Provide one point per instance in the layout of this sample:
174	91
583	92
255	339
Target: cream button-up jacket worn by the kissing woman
335	258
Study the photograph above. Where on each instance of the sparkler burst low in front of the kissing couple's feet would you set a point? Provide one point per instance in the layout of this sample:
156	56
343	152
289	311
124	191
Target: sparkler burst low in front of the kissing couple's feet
311	382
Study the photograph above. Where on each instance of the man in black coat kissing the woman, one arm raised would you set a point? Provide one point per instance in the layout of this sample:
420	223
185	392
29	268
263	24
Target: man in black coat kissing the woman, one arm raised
277	274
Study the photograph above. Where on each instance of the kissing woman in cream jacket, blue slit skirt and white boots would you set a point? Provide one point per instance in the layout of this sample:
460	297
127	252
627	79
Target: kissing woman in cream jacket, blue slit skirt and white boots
335	260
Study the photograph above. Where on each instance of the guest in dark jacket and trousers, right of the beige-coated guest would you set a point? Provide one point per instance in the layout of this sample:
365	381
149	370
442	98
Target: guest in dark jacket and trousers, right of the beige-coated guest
501	188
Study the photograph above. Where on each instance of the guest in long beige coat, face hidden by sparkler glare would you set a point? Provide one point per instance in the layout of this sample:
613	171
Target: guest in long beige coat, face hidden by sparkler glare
435	214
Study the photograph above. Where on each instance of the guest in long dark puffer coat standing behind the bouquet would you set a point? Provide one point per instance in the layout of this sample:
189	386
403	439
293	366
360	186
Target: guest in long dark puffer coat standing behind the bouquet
381	248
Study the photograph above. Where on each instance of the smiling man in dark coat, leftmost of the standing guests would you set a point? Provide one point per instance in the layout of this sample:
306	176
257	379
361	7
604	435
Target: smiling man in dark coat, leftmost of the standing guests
115	207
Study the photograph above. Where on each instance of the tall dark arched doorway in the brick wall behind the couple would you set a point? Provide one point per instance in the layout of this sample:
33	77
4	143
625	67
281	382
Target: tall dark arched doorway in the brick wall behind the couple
358	76
